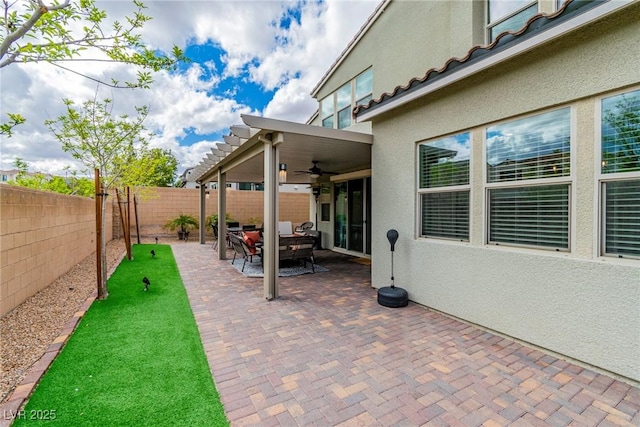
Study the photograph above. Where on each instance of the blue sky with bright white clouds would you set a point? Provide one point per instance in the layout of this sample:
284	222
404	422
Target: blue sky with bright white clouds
257	57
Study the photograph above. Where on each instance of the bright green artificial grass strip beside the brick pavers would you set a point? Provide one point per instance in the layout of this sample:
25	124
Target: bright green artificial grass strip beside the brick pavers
135	358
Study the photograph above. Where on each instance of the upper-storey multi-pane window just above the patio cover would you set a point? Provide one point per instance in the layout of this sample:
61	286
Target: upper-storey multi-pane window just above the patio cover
335	109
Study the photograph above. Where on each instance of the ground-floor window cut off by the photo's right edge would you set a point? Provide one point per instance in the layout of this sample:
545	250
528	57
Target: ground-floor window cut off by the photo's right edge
620	175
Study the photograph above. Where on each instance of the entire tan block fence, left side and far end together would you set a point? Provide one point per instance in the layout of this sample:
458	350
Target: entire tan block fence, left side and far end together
43	235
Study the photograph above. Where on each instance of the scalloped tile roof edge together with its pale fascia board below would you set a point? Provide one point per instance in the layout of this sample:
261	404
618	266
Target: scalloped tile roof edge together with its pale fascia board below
486	56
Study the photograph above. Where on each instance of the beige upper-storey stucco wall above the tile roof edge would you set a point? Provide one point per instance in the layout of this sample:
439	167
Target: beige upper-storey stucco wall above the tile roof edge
401	44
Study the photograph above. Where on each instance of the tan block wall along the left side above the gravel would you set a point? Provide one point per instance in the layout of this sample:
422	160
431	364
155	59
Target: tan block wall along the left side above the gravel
42	236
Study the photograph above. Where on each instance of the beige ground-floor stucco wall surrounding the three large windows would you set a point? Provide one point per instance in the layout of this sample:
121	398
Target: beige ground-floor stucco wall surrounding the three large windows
577	303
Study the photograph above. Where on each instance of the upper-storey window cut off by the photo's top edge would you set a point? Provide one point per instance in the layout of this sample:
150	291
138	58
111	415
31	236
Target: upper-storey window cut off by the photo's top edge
508	15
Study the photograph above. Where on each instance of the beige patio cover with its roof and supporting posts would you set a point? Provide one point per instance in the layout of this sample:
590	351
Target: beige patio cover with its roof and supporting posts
252	153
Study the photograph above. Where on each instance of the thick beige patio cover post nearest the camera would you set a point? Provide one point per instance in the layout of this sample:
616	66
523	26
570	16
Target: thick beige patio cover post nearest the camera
271	214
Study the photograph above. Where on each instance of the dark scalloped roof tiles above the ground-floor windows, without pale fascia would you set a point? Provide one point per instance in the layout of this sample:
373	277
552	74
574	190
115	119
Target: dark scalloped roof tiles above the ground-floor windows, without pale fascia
534	25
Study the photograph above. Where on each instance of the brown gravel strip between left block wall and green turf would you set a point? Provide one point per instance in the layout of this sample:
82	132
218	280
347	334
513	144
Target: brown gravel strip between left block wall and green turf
29	329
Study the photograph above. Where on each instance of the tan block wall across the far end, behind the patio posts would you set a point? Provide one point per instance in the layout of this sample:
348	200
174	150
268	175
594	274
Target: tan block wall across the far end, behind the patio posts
158	206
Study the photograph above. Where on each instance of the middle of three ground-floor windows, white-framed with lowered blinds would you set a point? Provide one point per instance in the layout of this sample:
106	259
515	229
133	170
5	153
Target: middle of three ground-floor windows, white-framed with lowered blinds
528	181
